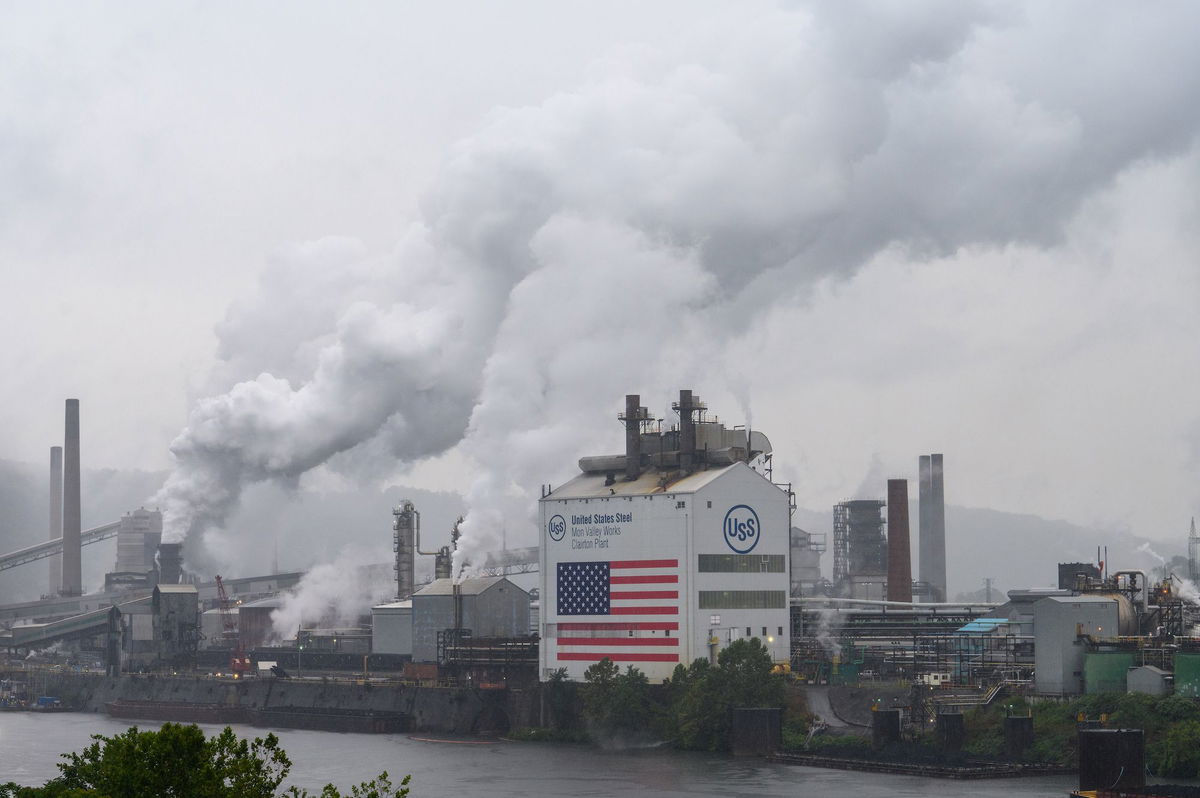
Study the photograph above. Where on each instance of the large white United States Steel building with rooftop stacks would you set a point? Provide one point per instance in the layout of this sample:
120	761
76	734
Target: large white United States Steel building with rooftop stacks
659	567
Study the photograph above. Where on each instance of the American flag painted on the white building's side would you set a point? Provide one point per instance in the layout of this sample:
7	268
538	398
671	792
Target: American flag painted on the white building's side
627	611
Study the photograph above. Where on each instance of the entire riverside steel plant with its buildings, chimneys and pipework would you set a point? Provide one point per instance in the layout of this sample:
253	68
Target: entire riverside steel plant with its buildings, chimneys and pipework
652	557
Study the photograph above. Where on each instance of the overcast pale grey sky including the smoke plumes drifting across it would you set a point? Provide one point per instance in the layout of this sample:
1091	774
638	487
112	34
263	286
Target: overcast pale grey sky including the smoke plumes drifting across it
436	244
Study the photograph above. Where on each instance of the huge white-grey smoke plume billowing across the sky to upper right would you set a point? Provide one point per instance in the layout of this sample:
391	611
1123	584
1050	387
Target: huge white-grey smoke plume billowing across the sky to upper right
619	237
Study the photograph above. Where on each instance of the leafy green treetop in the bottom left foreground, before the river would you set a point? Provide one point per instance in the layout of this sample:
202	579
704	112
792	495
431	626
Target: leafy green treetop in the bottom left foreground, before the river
179	761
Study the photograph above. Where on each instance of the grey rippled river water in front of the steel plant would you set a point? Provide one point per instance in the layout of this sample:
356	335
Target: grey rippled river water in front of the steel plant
31	745
